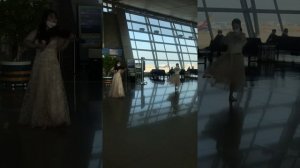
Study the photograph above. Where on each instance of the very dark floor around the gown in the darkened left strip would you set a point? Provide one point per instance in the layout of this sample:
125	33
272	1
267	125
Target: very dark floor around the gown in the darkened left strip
76	146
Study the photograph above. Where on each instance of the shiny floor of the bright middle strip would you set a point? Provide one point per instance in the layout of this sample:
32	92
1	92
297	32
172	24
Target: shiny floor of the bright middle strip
153	126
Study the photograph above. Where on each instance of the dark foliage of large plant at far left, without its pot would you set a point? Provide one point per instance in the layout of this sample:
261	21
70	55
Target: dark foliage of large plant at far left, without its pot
17	19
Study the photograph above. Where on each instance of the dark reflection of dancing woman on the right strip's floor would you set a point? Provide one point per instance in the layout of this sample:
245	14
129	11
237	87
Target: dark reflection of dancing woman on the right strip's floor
226	128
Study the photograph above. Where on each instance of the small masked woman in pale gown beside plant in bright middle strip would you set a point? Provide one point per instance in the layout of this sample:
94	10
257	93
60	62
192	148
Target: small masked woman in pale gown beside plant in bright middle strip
117	89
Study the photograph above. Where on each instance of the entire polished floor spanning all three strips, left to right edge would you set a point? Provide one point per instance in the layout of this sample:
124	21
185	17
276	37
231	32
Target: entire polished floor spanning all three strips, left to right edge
156	126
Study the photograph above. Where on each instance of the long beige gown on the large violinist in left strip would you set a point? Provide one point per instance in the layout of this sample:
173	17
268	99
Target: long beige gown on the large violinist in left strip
45	102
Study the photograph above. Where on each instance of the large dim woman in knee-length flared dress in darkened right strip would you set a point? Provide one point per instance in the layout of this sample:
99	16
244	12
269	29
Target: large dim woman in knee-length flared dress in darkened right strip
229	68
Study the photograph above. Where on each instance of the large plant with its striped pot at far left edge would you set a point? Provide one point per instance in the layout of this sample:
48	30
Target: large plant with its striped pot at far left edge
17	19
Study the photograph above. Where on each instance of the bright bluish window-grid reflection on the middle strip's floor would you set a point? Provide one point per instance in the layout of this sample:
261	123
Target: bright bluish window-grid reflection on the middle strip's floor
158	101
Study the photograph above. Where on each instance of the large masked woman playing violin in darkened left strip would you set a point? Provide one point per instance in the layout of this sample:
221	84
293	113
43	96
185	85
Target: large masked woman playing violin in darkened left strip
45	102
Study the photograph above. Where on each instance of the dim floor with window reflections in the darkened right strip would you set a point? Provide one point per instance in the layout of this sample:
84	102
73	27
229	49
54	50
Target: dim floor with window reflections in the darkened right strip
261	130
